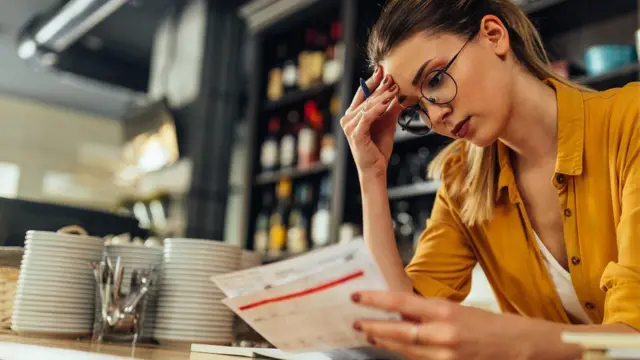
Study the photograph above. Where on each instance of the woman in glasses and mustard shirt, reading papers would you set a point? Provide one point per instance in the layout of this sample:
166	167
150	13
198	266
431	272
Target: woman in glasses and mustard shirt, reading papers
541	187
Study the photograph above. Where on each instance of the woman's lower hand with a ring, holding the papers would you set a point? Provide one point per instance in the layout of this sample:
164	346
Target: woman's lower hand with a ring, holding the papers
441	329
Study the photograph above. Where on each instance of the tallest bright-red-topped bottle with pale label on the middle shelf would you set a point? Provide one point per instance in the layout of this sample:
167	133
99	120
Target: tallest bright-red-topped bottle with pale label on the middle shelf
308	140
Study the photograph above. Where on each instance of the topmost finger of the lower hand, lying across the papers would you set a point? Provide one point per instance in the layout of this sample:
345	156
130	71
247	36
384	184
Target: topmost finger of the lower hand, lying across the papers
406	304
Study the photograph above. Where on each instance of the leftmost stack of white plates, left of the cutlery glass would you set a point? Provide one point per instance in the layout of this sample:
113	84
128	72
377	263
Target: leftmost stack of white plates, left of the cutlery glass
56	286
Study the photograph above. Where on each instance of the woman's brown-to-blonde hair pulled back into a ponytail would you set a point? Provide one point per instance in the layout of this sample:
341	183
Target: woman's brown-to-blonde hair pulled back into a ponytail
401	19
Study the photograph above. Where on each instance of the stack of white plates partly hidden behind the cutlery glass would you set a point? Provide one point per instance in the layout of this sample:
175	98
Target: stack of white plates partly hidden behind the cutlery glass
138	257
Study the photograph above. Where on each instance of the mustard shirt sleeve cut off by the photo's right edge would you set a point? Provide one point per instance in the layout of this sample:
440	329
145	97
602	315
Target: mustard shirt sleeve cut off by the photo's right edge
621	279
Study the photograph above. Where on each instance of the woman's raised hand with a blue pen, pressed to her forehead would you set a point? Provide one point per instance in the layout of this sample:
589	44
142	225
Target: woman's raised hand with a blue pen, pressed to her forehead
370	125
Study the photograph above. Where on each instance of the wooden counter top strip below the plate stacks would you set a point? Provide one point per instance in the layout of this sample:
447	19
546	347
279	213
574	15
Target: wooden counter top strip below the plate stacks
142	351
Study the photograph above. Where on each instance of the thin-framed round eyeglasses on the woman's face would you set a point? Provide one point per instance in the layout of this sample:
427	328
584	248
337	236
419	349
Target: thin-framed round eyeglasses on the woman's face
439	88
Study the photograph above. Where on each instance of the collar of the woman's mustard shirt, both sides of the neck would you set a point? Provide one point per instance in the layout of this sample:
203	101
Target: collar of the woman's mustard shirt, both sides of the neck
570	139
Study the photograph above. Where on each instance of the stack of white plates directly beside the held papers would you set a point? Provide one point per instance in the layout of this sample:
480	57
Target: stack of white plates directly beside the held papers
189	309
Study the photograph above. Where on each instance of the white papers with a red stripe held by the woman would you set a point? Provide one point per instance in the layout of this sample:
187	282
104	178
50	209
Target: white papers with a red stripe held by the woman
304	304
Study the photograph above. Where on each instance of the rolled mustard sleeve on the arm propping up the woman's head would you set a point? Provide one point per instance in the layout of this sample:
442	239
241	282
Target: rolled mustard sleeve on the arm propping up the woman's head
443	262
